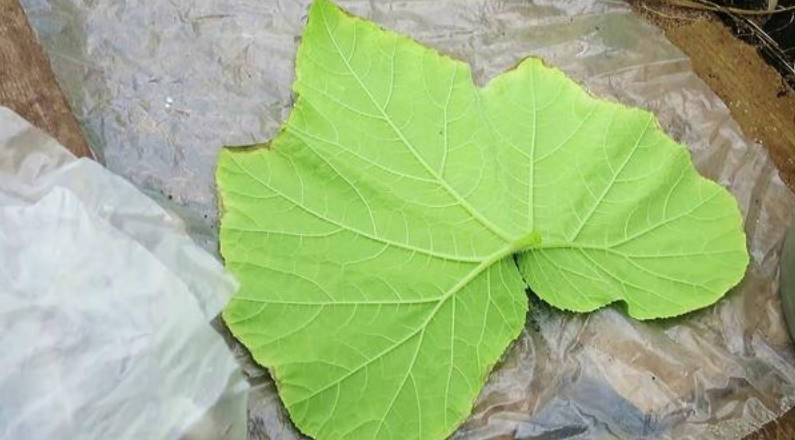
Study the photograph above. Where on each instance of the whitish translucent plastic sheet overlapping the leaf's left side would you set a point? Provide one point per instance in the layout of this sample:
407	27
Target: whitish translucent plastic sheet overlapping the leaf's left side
105	305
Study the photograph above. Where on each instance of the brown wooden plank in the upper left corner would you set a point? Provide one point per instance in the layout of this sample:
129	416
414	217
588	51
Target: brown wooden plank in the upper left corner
28	85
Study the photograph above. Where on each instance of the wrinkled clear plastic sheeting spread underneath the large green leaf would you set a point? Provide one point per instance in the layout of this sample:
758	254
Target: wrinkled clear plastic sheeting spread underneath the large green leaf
163	84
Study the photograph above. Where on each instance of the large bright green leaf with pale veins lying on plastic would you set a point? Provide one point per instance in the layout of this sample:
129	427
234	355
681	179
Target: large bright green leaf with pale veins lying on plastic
375	237
